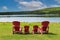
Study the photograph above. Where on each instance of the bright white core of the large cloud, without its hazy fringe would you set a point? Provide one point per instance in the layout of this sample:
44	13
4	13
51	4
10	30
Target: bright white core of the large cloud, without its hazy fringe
32	4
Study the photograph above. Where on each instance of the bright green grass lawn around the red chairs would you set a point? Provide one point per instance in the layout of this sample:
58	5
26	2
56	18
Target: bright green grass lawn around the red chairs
6	32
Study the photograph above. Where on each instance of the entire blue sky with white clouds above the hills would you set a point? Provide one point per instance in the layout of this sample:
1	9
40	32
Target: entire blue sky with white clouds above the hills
26	5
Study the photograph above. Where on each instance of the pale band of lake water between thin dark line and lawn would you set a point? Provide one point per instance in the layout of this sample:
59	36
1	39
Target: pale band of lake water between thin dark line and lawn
29	19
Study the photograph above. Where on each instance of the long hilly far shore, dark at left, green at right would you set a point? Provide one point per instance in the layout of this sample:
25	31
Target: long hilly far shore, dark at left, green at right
54	11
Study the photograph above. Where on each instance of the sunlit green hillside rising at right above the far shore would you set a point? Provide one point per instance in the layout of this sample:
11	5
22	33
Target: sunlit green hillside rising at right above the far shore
48	10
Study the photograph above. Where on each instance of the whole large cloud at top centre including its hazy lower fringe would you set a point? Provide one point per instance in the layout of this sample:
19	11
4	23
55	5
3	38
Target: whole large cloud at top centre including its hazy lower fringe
32	5
